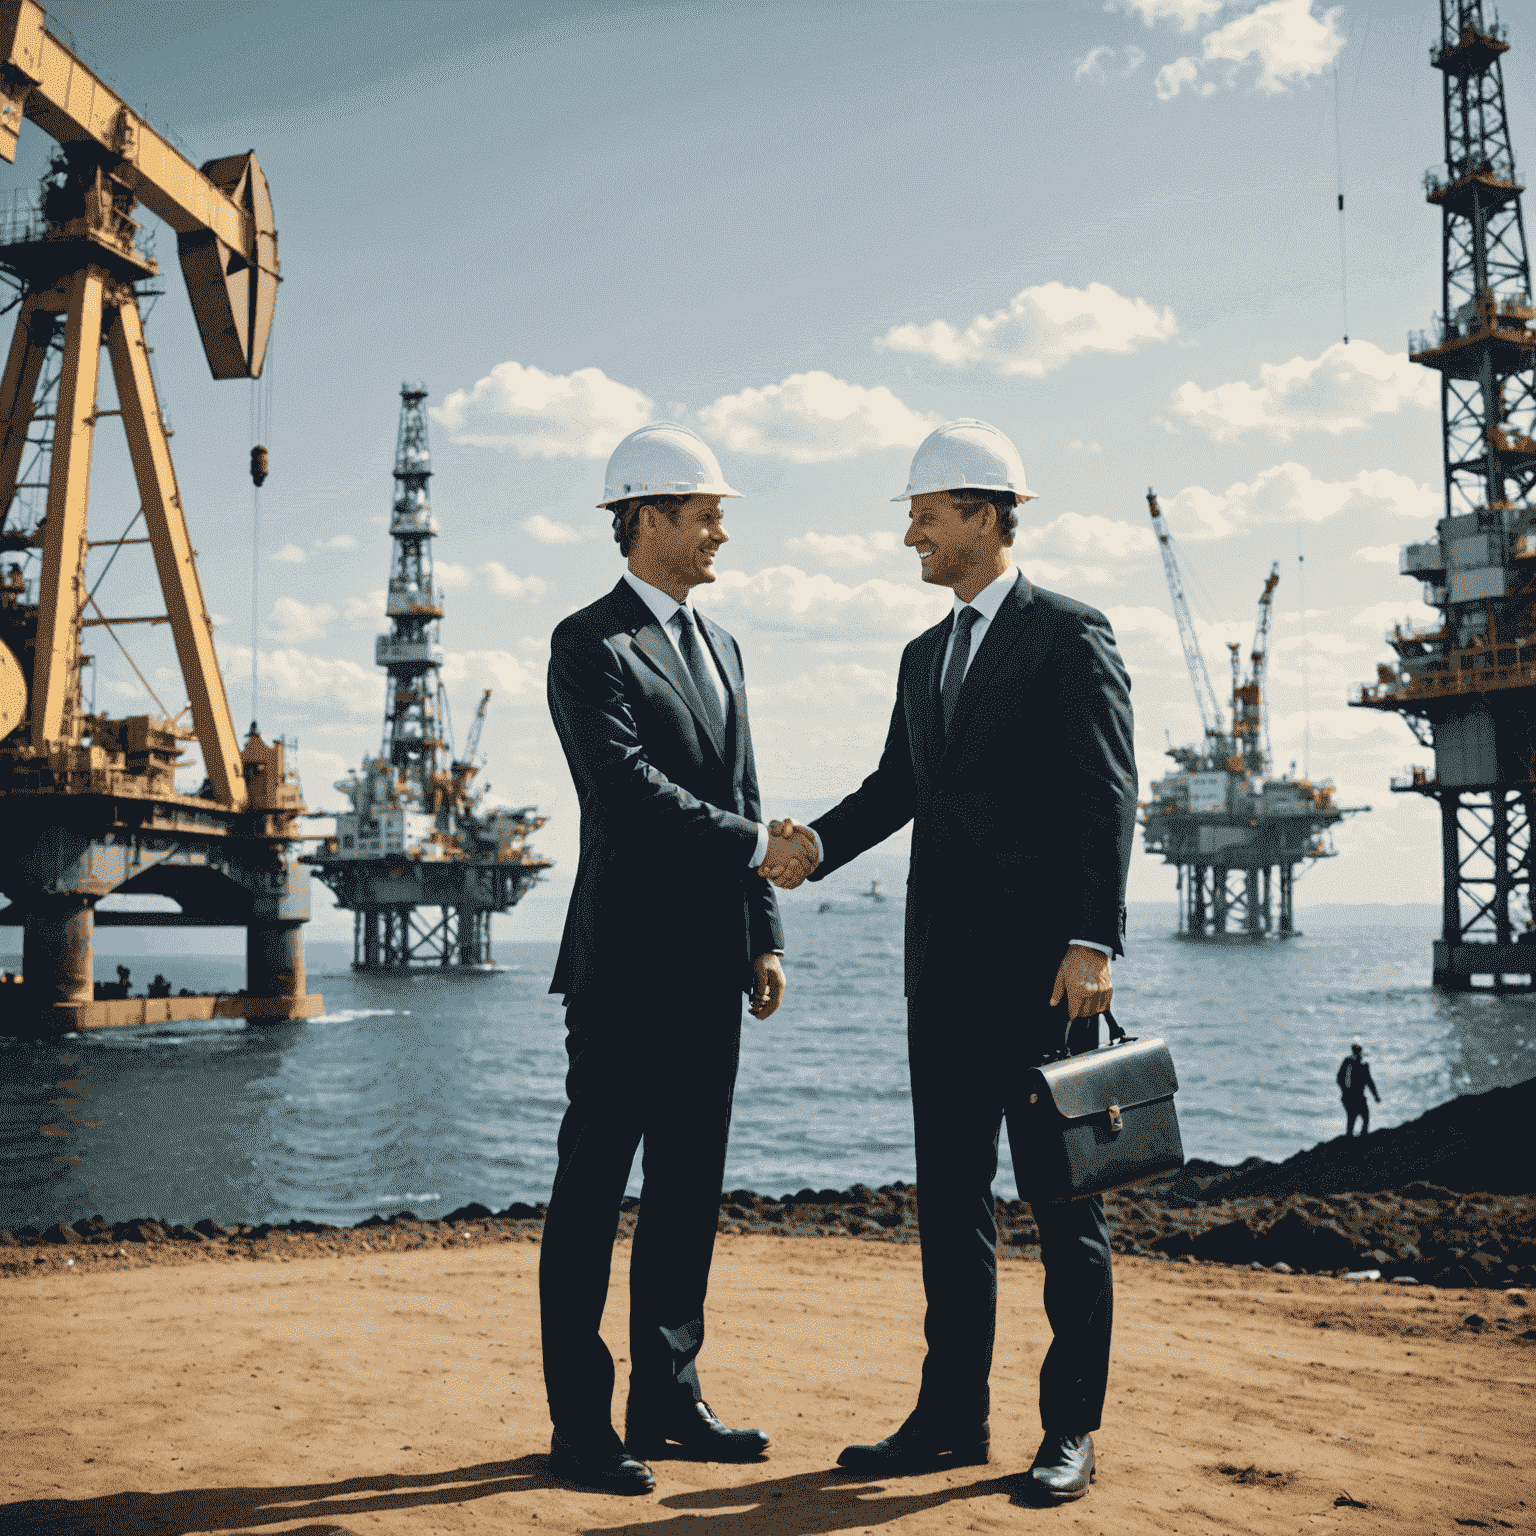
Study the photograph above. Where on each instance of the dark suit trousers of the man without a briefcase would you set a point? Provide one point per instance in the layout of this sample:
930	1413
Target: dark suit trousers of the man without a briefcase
658	1078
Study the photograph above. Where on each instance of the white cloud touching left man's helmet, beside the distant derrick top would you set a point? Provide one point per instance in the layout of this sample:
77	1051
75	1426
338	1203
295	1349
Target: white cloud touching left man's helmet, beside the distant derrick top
545	415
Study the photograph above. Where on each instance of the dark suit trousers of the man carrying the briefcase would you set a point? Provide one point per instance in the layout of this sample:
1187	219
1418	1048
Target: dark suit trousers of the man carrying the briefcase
968	1059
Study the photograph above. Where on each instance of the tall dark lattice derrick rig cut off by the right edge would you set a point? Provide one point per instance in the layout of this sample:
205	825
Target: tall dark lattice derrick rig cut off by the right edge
1466	684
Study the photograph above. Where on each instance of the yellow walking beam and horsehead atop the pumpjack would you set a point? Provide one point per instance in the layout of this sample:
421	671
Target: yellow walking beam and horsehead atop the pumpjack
222	213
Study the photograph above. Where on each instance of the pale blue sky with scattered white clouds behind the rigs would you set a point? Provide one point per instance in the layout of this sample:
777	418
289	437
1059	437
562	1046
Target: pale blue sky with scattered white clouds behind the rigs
812	233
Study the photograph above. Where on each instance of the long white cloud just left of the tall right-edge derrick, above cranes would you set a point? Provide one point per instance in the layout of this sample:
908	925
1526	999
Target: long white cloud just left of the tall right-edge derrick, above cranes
1339	391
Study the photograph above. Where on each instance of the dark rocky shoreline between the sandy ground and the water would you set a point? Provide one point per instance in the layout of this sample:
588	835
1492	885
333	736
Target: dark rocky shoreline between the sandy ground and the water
1435	1202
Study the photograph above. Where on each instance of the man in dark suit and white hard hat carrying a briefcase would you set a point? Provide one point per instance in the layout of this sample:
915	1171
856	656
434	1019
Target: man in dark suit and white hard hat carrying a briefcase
1011	753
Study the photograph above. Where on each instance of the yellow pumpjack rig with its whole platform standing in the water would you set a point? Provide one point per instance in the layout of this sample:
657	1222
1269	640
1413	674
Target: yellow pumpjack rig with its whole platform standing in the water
91	804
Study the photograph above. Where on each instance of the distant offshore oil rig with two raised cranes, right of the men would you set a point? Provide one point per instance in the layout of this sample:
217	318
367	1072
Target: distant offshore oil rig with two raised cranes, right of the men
1234	832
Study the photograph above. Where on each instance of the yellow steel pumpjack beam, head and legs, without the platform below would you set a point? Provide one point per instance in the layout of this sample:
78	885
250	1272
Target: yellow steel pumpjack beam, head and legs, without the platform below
84	263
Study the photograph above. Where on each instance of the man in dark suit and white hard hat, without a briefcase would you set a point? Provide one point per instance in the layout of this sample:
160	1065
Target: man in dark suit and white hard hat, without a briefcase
667	927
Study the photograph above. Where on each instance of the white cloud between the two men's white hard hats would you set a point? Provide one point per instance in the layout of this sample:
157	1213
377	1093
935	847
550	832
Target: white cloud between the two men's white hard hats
813	419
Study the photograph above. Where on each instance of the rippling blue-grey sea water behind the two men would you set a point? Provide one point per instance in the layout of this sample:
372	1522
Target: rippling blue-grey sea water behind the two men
426	1093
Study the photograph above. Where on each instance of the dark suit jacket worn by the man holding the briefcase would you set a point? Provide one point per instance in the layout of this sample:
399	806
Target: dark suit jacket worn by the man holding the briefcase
1024	816
